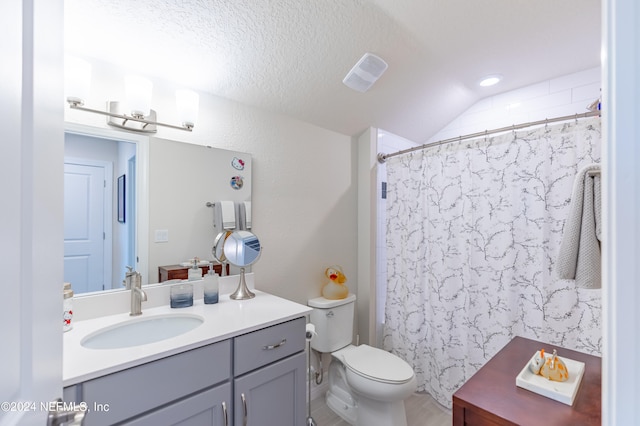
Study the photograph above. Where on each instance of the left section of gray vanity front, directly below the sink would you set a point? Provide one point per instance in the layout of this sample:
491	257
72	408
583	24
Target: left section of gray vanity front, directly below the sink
195	382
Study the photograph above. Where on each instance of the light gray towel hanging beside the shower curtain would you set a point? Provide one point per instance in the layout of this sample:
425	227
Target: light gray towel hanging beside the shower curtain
579	257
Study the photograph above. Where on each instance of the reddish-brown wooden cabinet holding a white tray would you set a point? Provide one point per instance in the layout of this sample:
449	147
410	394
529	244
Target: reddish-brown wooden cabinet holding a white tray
491	397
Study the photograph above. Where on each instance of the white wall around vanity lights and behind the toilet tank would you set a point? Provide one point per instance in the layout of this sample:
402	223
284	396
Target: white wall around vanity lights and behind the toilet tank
304	182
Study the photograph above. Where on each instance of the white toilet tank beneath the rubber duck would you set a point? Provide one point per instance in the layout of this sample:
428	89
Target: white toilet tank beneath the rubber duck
333	320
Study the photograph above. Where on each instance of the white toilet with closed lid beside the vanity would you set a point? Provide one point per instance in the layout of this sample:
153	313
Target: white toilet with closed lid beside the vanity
367	386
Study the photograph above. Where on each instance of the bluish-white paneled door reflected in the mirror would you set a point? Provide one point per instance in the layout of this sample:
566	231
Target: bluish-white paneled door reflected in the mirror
84	226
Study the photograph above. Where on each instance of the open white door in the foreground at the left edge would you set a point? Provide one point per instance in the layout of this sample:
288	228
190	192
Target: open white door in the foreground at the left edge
31	213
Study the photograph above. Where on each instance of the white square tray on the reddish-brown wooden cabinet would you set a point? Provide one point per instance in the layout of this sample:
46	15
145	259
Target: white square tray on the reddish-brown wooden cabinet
564	392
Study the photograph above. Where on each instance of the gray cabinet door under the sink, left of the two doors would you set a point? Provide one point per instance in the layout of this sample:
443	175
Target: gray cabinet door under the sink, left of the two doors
208	408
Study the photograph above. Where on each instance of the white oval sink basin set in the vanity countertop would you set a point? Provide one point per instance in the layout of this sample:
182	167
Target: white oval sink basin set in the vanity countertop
141	331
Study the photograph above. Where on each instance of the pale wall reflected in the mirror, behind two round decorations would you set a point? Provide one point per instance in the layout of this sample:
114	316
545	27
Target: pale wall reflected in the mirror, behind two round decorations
184	178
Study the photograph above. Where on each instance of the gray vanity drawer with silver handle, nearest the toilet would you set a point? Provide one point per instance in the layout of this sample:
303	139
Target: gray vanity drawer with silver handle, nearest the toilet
262	347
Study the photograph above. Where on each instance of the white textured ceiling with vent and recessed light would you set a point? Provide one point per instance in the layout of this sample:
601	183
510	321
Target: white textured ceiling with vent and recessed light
290	56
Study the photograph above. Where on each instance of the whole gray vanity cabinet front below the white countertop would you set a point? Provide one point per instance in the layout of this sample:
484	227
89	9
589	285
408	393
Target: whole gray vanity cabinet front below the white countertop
257	377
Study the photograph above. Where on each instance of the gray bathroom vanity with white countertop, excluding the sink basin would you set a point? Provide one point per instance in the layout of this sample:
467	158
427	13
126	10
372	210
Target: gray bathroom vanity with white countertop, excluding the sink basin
244	365
